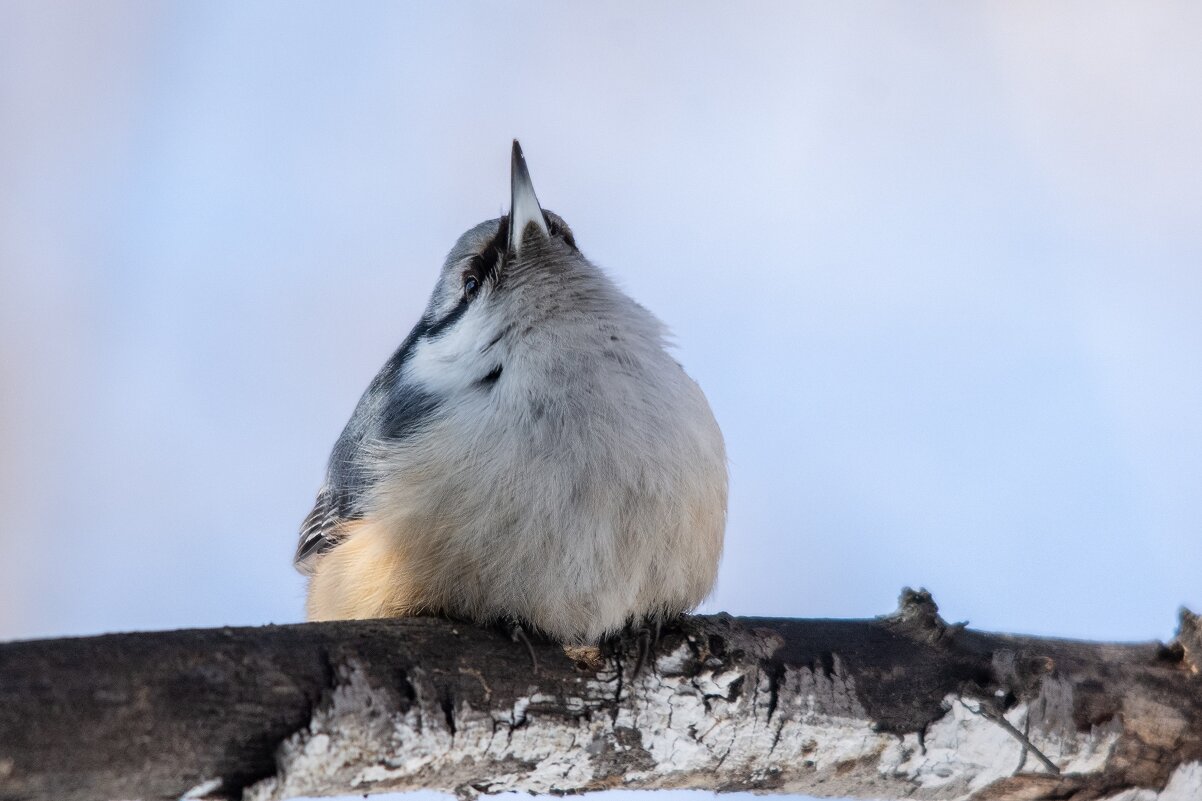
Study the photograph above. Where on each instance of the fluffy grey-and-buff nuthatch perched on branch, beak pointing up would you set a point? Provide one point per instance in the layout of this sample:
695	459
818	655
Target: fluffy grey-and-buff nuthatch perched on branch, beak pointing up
532	454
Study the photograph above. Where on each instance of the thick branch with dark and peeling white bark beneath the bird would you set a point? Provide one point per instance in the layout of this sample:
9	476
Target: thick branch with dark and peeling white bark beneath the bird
898	708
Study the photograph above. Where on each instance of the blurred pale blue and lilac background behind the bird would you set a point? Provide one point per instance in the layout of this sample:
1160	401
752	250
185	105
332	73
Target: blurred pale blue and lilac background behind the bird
938	268
